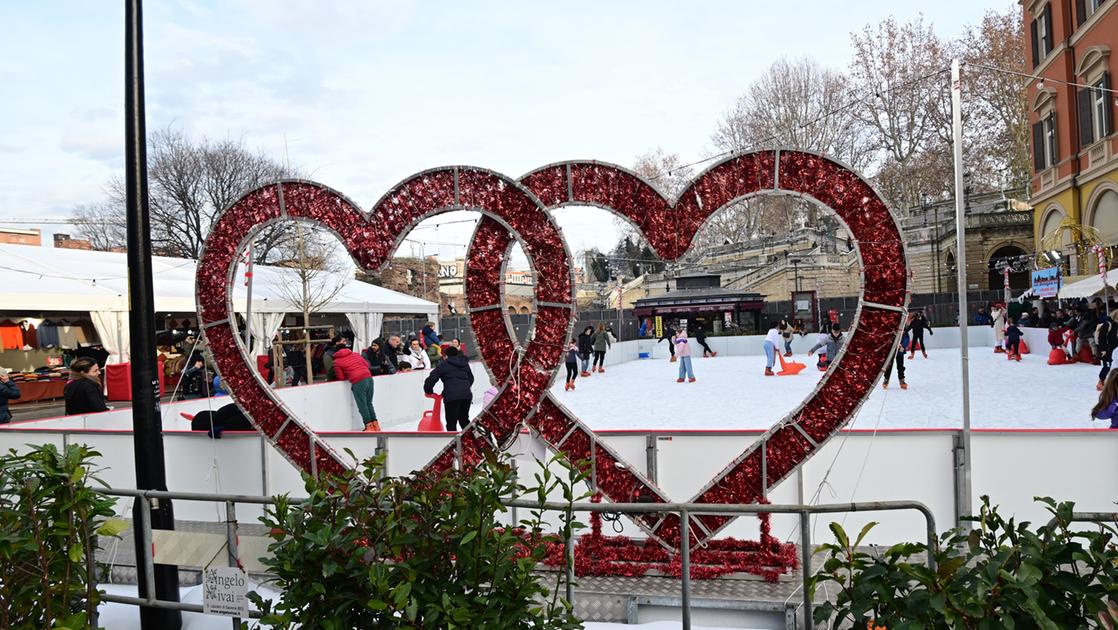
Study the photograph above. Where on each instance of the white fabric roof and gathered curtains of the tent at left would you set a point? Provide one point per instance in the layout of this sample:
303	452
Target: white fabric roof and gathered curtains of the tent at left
54	280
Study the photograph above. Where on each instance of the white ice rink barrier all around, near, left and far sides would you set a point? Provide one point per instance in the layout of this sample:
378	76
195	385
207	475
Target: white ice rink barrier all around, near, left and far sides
1011	466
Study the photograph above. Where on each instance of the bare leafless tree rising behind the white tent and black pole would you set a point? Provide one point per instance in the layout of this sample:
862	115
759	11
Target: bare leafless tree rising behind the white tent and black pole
190	184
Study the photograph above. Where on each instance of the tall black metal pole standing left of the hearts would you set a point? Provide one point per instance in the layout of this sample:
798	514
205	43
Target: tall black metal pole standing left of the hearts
147	422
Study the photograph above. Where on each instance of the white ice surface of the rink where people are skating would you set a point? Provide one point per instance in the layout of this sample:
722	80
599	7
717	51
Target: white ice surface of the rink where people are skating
732	393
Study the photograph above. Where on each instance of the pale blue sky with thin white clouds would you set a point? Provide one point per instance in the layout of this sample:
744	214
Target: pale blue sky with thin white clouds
361	96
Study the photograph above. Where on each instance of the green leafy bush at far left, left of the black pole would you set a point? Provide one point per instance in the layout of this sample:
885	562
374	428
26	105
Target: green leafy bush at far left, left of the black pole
49	513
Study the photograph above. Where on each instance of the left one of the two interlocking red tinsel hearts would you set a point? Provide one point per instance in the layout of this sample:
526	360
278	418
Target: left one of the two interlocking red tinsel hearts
371	241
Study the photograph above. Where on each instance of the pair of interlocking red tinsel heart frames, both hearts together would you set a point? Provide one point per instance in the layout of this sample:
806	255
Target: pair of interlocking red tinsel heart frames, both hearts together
525	375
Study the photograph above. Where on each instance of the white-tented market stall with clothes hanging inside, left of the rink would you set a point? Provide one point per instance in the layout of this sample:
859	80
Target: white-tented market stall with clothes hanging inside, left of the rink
60	303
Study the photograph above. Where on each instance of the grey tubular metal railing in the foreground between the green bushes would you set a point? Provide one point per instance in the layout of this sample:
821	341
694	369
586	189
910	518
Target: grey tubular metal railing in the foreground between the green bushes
685	511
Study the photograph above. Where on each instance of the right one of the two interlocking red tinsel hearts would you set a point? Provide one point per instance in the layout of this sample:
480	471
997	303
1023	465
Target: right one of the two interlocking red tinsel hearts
670	230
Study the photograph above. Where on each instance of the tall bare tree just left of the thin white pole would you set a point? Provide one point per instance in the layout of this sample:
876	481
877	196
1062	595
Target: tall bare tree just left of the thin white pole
899	70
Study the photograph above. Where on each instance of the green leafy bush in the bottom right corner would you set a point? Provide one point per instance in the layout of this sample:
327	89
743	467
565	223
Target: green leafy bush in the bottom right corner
999	574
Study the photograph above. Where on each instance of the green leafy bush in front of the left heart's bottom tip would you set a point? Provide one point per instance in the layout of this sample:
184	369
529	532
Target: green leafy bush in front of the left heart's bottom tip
418	552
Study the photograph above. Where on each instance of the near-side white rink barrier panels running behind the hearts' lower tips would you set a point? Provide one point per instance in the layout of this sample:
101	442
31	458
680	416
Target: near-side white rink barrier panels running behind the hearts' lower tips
1011	466
